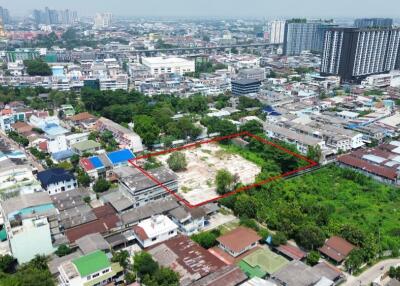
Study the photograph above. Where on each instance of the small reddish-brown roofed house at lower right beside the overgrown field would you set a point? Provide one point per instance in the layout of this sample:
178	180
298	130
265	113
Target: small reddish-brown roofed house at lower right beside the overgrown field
337	249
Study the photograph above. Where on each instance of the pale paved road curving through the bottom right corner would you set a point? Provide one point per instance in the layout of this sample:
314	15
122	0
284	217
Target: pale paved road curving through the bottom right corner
372	273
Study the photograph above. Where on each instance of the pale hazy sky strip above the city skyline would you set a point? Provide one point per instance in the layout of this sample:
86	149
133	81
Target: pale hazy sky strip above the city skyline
216	8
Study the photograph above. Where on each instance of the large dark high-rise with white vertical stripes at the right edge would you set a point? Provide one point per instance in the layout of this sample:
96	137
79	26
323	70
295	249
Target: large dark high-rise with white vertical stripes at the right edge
355	53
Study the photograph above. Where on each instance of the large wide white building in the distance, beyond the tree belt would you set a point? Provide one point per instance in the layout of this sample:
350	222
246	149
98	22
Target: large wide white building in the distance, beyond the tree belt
168	65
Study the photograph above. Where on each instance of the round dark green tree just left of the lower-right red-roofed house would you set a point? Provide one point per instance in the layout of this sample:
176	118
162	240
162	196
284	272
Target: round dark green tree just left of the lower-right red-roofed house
310	237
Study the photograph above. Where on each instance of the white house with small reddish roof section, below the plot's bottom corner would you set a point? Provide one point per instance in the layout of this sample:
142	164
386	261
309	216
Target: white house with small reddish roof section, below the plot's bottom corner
155	230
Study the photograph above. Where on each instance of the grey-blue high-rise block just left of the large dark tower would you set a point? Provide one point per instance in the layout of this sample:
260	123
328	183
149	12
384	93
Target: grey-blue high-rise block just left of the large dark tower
301	35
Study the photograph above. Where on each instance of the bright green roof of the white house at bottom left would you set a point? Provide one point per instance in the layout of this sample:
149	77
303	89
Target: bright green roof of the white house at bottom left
91	263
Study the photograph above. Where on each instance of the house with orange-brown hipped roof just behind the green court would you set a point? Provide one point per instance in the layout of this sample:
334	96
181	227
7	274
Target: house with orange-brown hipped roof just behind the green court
238	241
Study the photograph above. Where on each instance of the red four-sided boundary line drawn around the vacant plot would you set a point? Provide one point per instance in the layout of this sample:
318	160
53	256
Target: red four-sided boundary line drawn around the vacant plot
217	139
